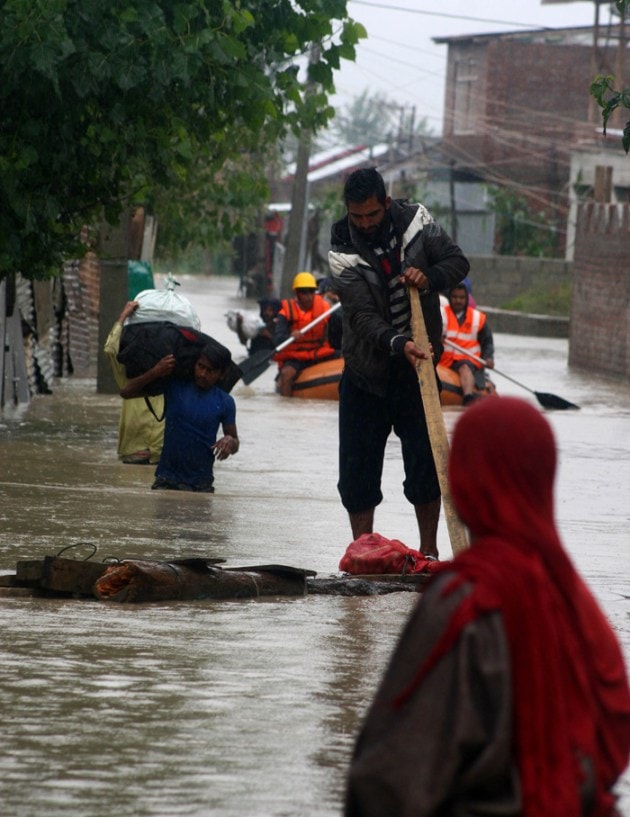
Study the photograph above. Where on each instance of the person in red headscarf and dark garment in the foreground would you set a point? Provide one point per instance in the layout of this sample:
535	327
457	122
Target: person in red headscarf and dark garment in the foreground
507	694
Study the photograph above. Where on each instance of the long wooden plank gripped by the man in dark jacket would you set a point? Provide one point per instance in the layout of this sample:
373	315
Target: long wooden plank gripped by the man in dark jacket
435	424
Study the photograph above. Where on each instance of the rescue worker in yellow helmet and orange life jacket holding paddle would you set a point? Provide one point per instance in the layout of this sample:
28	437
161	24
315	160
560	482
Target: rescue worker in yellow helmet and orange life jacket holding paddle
307	348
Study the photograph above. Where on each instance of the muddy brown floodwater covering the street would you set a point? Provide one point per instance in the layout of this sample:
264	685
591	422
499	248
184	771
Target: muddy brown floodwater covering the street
240	707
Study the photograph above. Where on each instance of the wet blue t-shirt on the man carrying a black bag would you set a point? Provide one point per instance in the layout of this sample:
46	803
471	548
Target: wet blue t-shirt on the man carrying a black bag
192	421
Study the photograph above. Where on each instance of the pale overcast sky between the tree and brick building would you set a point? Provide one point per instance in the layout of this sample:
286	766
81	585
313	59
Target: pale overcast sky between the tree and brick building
400	59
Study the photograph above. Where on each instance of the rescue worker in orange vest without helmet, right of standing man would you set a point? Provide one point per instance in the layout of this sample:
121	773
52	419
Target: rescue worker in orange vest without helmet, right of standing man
468	328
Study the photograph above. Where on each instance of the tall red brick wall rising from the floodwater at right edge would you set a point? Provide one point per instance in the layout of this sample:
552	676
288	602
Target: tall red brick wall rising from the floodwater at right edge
599	335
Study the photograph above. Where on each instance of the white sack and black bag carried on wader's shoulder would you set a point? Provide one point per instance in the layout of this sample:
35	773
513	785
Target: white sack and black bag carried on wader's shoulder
165	323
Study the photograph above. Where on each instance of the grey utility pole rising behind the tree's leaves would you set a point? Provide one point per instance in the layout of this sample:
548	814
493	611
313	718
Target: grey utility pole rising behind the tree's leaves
296	236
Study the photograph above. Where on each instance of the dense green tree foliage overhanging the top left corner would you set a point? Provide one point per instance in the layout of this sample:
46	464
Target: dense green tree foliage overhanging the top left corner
104	103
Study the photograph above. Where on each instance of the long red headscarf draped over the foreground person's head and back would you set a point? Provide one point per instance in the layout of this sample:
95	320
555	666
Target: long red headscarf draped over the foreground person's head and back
571	697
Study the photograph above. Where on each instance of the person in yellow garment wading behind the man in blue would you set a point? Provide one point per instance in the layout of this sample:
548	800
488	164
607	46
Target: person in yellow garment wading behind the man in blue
140	434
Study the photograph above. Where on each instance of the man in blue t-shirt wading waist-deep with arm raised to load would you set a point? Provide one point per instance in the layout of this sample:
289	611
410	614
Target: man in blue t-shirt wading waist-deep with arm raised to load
195	409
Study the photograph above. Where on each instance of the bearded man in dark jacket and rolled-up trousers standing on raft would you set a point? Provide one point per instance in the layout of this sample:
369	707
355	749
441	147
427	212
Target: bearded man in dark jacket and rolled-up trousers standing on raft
383	252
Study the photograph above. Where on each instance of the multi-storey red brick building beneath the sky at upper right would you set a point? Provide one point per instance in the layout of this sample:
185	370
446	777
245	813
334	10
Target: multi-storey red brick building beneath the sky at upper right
516	106
